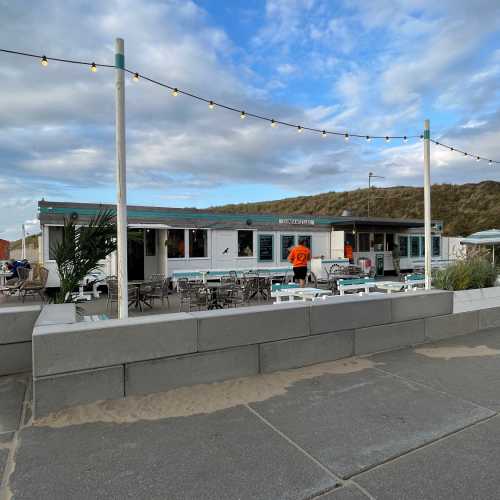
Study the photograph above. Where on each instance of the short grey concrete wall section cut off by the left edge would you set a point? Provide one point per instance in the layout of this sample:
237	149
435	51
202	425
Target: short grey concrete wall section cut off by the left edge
16	329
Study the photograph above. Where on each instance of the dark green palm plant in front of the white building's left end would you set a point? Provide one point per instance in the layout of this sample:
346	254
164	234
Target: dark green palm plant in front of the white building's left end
81	249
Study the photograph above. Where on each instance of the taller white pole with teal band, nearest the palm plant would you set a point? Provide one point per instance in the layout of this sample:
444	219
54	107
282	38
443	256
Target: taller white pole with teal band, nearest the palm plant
121	182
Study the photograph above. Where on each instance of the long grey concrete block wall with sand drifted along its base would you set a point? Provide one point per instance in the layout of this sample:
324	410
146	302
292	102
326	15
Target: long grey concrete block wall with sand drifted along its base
76	363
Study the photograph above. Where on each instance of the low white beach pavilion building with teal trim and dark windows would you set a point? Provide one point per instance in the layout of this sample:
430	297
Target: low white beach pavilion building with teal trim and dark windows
177	239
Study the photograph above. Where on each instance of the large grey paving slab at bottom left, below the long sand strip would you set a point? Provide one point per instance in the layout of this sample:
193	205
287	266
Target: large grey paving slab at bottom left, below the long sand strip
229	454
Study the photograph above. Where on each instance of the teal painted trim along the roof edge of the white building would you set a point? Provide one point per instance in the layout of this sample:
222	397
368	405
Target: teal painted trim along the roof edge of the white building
146	214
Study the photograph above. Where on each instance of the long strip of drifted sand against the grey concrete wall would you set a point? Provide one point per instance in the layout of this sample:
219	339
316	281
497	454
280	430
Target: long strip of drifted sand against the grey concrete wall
198	399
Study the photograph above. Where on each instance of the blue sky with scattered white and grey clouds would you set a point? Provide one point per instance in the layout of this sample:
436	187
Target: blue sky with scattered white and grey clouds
378	67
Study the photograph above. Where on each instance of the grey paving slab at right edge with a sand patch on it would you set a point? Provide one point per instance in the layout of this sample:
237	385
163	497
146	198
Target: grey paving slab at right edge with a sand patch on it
467	367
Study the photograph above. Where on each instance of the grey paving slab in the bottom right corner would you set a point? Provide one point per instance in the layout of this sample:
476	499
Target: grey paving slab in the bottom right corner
463	466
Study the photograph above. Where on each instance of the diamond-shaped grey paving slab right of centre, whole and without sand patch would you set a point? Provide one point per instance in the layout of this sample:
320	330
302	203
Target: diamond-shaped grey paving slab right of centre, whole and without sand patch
350	422
